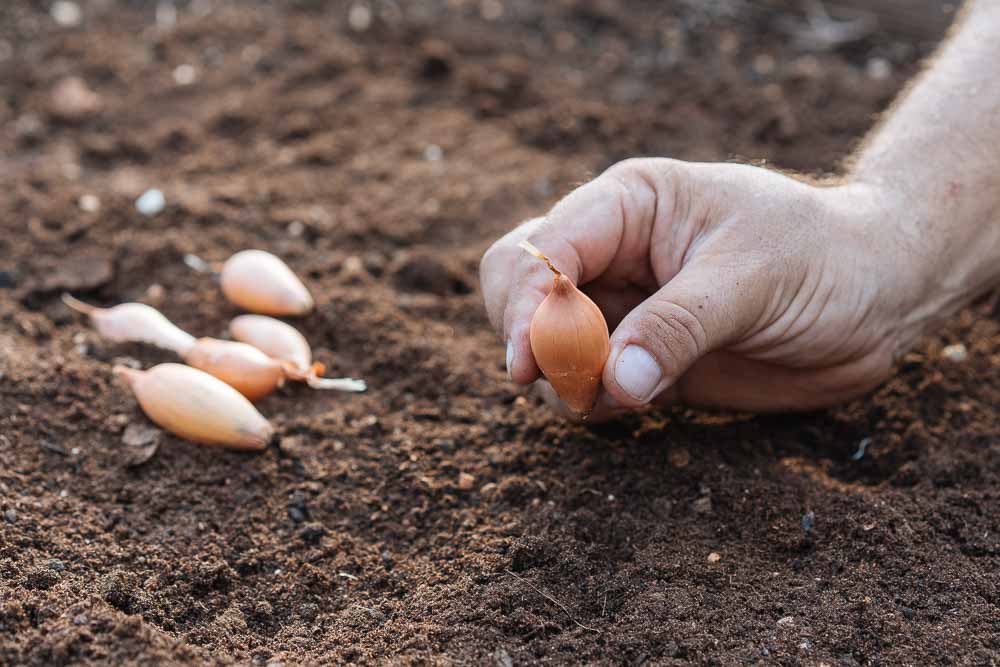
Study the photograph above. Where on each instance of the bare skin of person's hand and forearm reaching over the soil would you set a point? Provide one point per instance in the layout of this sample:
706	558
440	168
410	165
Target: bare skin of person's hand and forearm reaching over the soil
749	289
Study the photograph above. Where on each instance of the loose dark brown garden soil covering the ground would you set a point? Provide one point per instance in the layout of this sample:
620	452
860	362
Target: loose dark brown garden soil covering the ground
442	516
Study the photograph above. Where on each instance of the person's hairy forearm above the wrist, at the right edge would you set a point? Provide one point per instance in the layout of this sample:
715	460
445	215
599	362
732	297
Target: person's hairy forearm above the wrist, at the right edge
936	160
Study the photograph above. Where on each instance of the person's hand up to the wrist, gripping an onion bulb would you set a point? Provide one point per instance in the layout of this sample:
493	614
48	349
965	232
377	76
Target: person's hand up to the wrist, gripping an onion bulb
724	285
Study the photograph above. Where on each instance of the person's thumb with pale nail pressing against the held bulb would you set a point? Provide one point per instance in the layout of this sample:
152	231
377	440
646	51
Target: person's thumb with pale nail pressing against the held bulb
705	306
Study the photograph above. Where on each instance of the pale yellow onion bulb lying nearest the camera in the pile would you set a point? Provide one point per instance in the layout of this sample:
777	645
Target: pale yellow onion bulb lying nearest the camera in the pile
197	407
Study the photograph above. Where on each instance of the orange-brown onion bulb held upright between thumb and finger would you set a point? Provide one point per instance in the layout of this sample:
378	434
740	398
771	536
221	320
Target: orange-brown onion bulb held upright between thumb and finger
569	339
